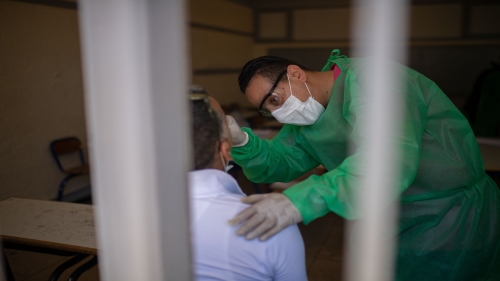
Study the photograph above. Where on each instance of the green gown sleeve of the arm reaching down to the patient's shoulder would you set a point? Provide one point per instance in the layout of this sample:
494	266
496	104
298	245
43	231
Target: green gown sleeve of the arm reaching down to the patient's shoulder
334	190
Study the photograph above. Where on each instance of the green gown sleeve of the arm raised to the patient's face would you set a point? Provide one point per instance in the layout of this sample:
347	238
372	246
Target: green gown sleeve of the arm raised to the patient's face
280	159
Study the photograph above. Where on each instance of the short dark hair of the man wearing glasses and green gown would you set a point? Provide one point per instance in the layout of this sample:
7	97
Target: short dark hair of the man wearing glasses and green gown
268	67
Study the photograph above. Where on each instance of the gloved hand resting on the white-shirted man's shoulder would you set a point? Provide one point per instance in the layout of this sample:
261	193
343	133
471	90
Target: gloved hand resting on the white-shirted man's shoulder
269	214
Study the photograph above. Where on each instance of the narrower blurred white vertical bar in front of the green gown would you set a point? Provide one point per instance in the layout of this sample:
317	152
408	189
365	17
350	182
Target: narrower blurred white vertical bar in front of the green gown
380	28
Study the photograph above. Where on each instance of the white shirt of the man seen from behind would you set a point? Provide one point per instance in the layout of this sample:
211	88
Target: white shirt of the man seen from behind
219	254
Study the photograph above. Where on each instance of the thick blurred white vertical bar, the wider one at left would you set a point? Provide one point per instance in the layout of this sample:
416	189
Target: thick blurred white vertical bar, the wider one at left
123	98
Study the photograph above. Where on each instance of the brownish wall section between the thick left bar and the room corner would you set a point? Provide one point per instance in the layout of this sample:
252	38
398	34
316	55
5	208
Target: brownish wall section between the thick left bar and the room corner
221	43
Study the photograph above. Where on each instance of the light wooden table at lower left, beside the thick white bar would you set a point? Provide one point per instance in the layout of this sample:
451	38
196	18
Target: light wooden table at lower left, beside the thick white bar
54	227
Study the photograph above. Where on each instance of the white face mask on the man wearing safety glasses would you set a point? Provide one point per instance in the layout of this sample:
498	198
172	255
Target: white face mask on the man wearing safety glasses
295	112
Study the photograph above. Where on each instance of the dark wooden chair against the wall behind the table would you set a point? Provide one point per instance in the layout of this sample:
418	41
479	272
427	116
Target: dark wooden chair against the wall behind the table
68	154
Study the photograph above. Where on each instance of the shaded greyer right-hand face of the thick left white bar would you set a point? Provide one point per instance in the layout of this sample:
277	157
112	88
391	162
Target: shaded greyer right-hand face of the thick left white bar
169	80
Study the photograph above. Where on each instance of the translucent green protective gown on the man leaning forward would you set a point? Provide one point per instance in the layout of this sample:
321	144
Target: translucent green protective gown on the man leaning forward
449	223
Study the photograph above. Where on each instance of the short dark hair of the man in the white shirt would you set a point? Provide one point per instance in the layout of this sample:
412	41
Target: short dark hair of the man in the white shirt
206	131
